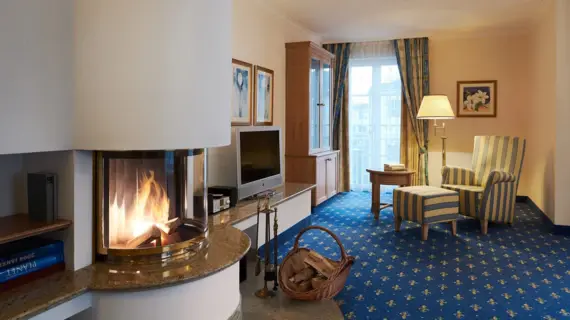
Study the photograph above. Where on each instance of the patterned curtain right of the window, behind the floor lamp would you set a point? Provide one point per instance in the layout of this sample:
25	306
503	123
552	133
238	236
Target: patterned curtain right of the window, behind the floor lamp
412	57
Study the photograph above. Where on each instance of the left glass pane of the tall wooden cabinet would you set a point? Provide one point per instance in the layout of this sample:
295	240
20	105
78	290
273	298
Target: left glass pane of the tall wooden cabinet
314	96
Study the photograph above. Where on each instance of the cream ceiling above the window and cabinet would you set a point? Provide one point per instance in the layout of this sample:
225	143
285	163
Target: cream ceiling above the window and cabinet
362	20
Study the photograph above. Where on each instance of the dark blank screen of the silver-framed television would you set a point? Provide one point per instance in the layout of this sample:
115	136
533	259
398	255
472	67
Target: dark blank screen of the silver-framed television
259	155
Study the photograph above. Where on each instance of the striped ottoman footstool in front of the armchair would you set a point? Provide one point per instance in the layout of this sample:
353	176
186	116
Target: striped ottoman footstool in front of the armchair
425	205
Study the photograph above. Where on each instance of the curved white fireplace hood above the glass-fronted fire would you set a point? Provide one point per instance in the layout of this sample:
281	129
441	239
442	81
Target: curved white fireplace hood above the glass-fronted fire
152	74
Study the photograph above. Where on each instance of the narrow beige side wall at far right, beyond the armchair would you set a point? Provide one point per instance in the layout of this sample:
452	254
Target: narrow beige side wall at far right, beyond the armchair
541	133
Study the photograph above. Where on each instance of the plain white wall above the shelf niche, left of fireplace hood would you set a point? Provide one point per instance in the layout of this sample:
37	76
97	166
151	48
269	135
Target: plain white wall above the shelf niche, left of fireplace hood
36	82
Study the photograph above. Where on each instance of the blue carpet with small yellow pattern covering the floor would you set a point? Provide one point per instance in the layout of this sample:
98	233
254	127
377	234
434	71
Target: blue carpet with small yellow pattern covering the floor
520	272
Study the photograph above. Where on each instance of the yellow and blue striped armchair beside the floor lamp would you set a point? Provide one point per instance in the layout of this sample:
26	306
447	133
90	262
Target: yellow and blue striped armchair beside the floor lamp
488	191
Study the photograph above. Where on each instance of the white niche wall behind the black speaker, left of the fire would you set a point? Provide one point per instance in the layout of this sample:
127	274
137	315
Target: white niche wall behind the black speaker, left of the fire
74	170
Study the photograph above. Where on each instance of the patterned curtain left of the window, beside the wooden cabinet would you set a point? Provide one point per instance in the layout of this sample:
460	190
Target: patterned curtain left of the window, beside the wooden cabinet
340	109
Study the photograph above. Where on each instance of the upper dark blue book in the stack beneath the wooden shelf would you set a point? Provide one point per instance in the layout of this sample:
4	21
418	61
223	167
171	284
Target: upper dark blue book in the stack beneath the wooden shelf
26	250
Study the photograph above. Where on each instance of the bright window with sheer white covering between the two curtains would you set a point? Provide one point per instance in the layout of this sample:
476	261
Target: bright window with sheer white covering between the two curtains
375	99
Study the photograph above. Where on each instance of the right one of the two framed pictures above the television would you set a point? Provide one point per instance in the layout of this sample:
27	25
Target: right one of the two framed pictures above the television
264	85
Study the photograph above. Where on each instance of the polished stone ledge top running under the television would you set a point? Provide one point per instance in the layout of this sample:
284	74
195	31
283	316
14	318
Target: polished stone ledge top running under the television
247	209
